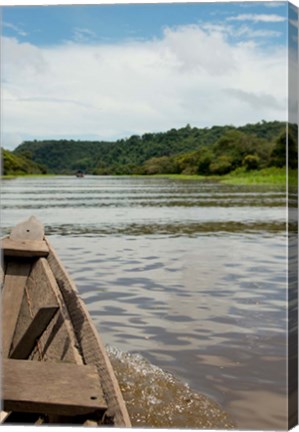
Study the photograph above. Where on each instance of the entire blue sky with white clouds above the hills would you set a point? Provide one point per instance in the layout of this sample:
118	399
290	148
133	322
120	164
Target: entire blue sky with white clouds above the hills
108	71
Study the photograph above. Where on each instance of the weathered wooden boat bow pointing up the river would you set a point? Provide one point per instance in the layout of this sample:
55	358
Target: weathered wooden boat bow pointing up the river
55	369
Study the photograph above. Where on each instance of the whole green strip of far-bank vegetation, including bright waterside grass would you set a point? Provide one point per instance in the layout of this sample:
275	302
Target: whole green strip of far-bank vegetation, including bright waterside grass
228	152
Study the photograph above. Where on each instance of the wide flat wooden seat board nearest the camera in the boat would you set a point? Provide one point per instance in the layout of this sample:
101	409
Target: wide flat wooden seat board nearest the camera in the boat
48	387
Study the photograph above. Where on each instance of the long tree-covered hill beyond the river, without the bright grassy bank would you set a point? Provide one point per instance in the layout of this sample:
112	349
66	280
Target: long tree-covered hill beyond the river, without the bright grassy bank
177	150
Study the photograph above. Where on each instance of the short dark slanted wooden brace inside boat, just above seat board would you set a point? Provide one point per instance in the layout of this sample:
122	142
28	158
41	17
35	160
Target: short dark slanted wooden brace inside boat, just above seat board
33	332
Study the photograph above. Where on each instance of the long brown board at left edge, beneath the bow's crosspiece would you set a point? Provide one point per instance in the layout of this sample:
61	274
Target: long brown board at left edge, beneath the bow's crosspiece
12	295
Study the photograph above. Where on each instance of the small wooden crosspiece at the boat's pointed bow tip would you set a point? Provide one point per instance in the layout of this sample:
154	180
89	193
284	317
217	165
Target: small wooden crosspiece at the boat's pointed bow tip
24	248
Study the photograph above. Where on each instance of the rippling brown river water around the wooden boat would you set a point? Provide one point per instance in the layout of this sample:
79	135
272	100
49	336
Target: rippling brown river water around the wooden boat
186	282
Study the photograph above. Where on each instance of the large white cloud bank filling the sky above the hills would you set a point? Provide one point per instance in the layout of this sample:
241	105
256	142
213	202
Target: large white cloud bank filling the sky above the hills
191	76
